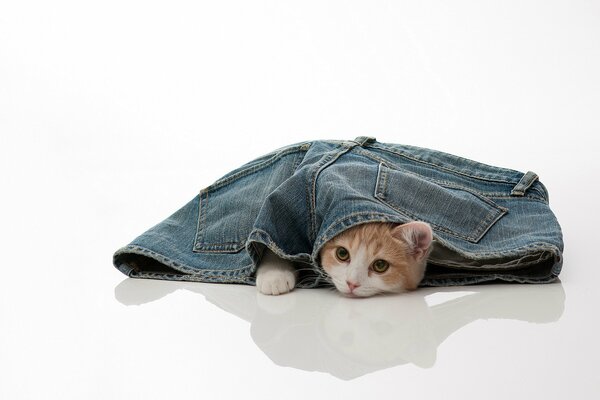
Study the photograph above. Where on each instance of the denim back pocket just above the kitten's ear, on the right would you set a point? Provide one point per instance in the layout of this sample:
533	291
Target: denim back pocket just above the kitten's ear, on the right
447	208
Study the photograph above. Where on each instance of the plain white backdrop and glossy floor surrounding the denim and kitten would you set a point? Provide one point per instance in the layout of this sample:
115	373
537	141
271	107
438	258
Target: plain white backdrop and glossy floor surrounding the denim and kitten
114	114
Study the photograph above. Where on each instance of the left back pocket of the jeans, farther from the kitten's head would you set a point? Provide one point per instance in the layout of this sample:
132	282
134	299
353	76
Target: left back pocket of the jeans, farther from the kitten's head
229	207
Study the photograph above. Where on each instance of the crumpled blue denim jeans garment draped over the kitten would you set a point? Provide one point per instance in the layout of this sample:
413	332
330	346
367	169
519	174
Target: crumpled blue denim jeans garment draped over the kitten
489	223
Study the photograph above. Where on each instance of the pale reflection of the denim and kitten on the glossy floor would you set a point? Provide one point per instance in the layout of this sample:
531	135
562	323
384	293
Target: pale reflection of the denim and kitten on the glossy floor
320	330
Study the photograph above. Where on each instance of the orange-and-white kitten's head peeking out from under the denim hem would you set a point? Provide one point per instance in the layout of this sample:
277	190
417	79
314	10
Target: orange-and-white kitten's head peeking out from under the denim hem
377	257
